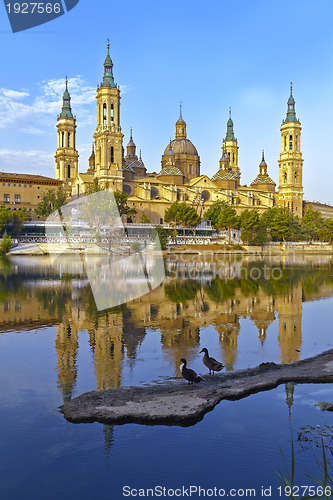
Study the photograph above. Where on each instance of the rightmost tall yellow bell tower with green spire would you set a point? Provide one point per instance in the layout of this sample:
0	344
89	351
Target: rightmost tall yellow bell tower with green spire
291	161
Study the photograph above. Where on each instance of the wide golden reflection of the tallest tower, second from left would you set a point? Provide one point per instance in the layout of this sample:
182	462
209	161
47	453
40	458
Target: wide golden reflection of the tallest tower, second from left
108	351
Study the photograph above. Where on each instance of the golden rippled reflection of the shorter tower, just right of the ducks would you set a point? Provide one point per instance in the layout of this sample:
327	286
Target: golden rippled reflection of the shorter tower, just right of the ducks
228	328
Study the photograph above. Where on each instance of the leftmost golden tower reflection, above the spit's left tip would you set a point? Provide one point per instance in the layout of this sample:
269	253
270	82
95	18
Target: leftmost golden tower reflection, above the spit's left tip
66	347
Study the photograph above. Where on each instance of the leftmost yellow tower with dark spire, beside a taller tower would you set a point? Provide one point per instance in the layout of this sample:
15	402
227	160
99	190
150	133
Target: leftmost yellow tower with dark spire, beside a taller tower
66	156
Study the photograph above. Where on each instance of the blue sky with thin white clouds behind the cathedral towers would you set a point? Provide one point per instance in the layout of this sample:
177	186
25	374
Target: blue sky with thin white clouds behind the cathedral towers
209	55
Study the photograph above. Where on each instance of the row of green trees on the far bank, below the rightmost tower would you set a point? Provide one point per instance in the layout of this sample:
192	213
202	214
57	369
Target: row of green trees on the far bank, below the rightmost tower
275	224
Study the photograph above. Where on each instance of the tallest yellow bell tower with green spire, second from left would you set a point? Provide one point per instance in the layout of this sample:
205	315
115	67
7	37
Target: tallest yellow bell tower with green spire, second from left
108	136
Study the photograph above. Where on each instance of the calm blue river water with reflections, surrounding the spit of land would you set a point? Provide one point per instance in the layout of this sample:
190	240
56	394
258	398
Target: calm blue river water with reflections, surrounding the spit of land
54	345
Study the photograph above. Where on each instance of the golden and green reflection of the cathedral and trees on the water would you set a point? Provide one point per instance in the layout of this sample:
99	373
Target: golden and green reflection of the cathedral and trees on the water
197	293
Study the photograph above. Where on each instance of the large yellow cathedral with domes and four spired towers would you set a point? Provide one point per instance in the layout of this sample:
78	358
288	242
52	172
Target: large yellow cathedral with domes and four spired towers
180	177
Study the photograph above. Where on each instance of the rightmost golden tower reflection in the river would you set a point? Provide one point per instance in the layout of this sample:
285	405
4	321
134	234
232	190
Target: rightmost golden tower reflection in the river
289	307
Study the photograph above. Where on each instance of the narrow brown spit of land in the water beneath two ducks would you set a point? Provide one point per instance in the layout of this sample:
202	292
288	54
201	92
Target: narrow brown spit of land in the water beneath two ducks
177	403
